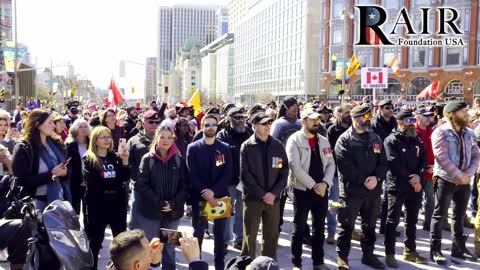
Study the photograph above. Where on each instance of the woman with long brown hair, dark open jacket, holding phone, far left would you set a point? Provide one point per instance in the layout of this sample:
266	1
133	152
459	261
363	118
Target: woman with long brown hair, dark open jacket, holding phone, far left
37	161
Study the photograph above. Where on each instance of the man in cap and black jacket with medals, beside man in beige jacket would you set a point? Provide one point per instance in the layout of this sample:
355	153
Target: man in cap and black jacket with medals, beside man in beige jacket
264	173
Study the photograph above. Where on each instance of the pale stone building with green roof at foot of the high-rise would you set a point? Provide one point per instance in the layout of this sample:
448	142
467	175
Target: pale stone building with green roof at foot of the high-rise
186	75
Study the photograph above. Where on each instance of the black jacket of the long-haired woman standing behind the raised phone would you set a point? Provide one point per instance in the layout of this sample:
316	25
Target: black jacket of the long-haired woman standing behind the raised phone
161	183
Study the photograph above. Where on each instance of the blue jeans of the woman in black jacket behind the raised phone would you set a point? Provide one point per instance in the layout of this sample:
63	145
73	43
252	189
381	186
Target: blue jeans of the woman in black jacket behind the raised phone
151	227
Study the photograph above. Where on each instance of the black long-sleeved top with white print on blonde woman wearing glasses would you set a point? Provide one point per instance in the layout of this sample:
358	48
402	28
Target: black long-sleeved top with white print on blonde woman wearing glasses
102	191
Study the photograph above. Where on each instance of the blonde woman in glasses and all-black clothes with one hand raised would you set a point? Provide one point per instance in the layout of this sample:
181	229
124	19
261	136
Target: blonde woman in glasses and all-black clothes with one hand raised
105	174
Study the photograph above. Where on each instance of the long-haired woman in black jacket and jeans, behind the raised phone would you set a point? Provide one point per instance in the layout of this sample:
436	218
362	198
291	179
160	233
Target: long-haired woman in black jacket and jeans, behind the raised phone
162	190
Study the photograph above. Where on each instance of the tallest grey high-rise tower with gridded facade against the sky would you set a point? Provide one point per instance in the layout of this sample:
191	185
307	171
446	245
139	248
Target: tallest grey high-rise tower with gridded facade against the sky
178	23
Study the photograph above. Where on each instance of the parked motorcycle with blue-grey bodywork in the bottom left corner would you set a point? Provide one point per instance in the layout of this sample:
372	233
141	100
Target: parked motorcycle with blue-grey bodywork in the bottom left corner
58	241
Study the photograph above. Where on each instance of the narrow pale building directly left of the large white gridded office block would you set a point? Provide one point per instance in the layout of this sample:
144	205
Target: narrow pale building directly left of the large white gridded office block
217	69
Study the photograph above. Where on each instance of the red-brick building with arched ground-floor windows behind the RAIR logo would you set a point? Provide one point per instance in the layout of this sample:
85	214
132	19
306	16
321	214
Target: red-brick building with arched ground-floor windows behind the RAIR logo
456	68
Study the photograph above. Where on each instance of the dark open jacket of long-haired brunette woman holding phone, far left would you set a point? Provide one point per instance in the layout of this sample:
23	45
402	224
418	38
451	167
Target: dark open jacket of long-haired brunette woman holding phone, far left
25	163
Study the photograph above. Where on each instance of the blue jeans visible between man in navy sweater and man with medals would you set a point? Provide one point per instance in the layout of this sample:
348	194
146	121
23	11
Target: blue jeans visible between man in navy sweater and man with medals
234	225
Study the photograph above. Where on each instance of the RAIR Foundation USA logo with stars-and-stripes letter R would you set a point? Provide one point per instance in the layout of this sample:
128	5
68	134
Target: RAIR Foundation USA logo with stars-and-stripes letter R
373	17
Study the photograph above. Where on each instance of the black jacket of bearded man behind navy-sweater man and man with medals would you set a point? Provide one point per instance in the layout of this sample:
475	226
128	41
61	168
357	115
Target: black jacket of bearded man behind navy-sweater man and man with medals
235	140
